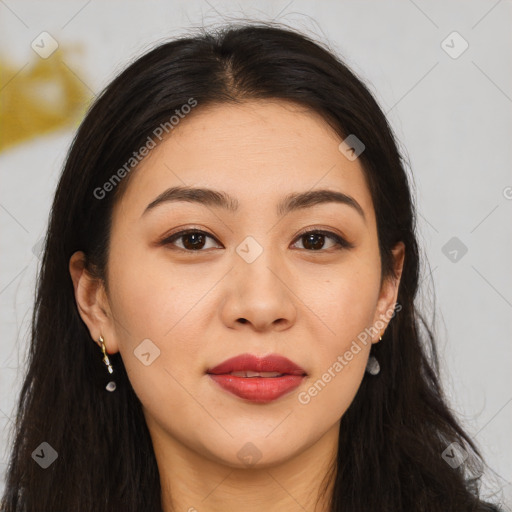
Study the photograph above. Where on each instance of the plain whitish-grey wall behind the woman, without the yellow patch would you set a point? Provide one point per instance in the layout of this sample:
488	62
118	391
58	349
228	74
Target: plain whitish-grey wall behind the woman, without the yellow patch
452	117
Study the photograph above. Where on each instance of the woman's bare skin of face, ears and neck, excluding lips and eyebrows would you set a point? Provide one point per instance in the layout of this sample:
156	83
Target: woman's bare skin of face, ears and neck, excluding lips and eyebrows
305	304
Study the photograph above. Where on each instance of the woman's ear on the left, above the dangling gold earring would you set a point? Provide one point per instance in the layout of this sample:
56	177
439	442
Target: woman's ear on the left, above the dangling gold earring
92	303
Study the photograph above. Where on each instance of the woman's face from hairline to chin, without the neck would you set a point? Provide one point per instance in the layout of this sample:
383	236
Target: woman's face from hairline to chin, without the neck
249	283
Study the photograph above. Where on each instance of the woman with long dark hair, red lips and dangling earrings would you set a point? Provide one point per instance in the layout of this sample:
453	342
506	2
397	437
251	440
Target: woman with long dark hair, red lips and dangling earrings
225	313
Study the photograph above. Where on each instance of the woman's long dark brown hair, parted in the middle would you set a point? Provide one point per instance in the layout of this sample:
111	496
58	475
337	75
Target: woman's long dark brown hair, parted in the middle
393	435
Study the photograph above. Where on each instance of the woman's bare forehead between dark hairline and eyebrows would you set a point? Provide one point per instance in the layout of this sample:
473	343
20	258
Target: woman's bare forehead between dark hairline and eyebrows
256	151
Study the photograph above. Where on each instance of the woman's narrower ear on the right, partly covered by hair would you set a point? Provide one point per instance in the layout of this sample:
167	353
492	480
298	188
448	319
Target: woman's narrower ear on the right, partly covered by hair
389	293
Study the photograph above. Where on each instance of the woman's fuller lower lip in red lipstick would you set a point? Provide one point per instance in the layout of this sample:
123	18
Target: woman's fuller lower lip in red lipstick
258	389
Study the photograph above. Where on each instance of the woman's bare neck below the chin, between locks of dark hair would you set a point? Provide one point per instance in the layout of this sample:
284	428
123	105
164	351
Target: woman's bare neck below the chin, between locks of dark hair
192	483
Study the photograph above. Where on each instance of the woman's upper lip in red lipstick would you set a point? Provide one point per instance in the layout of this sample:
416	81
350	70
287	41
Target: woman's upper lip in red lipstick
269	363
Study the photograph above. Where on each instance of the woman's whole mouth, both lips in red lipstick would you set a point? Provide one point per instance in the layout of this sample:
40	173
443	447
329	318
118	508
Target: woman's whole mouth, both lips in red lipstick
258	389
